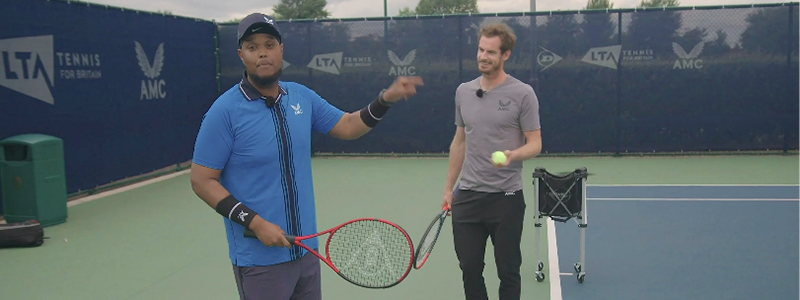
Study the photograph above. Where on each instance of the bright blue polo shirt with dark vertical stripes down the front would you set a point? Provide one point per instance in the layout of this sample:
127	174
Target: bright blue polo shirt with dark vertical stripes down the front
264	151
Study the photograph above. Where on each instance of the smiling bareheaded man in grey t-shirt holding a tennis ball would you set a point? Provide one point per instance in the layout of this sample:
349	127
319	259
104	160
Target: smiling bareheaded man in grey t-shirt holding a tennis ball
494	112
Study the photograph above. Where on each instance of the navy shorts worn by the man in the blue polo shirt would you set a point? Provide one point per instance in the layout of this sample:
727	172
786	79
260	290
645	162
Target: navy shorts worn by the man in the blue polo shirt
295	280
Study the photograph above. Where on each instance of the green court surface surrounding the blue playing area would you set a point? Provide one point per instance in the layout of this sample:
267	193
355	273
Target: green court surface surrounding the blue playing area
159	241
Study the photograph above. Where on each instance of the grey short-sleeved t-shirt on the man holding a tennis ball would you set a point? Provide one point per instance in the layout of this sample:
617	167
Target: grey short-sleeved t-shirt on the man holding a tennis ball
494	122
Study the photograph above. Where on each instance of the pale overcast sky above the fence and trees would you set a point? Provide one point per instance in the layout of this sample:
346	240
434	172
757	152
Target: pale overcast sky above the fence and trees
215	9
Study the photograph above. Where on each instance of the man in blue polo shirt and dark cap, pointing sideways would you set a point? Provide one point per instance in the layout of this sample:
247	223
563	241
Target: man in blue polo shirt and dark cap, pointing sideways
252	164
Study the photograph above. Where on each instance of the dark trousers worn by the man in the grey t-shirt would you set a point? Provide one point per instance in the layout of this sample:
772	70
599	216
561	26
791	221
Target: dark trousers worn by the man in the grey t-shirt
478	216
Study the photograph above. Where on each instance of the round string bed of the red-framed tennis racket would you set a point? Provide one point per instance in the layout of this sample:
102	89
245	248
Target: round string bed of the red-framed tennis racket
370	253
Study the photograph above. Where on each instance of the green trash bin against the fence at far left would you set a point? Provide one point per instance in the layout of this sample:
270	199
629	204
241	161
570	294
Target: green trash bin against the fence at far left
33	179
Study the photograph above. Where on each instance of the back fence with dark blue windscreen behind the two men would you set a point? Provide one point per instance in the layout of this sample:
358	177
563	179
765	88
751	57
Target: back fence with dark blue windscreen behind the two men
618	81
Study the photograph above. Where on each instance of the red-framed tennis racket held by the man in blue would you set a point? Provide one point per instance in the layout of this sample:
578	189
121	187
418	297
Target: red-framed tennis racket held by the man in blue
367	252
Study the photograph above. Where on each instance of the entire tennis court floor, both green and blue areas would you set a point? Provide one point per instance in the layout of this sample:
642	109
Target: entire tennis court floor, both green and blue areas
659	228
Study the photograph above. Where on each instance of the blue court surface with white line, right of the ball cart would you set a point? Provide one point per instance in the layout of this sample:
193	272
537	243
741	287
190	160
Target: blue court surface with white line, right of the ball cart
681	242
